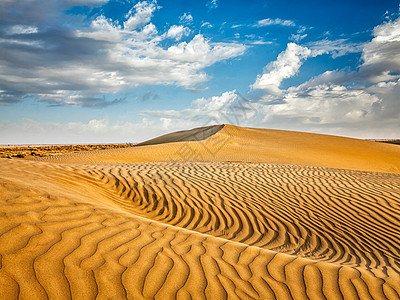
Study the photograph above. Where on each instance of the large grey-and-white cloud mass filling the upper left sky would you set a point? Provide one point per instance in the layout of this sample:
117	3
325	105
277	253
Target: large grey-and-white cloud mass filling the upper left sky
67	66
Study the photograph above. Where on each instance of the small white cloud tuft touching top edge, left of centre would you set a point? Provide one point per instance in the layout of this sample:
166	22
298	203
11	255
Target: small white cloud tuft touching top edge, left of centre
140	14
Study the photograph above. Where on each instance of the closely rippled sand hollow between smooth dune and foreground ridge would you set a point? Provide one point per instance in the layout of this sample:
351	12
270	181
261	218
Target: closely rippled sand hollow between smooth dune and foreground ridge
346	217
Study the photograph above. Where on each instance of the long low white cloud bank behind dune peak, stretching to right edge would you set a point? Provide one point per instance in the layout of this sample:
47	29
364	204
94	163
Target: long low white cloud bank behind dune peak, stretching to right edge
323	108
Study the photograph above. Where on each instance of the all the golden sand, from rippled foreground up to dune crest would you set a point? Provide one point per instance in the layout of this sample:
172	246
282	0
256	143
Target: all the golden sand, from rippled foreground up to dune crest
215	212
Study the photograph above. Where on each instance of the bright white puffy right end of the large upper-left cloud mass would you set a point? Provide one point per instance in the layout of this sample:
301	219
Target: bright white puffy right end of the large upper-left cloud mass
144	61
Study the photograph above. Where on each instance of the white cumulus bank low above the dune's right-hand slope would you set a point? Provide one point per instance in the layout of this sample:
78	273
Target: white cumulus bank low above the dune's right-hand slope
372	112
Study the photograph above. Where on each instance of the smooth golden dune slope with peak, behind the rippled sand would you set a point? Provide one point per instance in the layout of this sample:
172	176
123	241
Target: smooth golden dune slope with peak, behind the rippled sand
232	143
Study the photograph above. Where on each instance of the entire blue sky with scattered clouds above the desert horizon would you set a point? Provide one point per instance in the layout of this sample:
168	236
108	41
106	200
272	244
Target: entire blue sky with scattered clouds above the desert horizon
96	71
